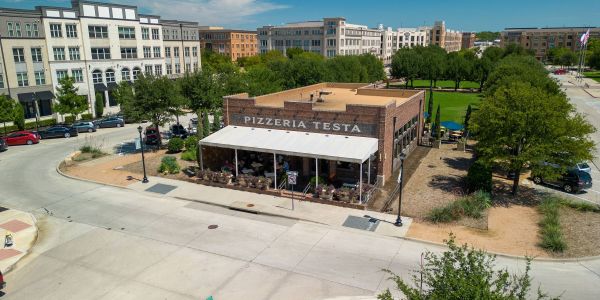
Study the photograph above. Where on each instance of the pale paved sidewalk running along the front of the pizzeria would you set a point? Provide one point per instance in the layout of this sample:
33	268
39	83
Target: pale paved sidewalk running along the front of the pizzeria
272	205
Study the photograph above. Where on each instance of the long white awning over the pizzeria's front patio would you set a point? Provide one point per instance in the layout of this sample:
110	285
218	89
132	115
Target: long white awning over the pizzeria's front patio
304	144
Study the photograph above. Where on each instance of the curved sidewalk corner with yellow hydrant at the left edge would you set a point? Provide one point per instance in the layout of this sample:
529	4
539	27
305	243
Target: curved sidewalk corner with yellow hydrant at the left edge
21	226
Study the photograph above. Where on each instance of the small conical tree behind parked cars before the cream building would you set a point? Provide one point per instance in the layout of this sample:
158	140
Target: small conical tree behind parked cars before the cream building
68	101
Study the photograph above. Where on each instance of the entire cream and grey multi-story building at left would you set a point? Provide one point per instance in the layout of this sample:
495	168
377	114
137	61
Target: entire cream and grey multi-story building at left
97	44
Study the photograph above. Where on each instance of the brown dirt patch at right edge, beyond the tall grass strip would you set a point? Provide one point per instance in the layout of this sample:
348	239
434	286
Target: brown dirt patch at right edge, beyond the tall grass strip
581	231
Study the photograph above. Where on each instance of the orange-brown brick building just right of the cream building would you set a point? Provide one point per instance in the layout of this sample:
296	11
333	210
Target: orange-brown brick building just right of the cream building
231	42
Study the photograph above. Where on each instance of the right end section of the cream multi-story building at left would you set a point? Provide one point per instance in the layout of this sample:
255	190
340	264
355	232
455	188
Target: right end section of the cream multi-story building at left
182	47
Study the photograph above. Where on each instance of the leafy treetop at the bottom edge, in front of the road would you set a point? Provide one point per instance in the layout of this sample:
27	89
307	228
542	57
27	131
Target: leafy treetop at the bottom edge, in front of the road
463	273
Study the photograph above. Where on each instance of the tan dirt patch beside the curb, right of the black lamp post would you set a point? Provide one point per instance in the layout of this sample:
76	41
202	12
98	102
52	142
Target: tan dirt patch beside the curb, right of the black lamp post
512	230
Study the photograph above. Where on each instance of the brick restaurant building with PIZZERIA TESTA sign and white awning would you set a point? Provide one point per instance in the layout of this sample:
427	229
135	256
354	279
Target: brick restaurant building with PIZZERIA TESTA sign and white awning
349	134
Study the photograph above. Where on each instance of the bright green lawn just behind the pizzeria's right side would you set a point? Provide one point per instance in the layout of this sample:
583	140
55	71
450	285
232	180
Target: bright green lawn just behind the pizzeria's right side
453	105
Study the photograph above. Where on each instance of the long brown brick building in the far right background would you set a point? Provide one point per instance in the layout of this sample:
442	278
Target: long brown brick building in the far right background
540	40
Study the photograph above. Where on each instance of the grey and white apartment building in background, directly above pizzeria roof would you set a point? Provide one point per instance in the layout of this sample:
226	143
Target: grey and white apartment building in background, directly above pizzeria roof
329	37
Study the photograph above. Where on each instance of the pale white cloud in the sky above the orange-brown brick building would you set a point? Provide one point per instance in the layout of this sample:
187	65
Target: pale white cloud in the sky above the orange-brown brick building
209	12
